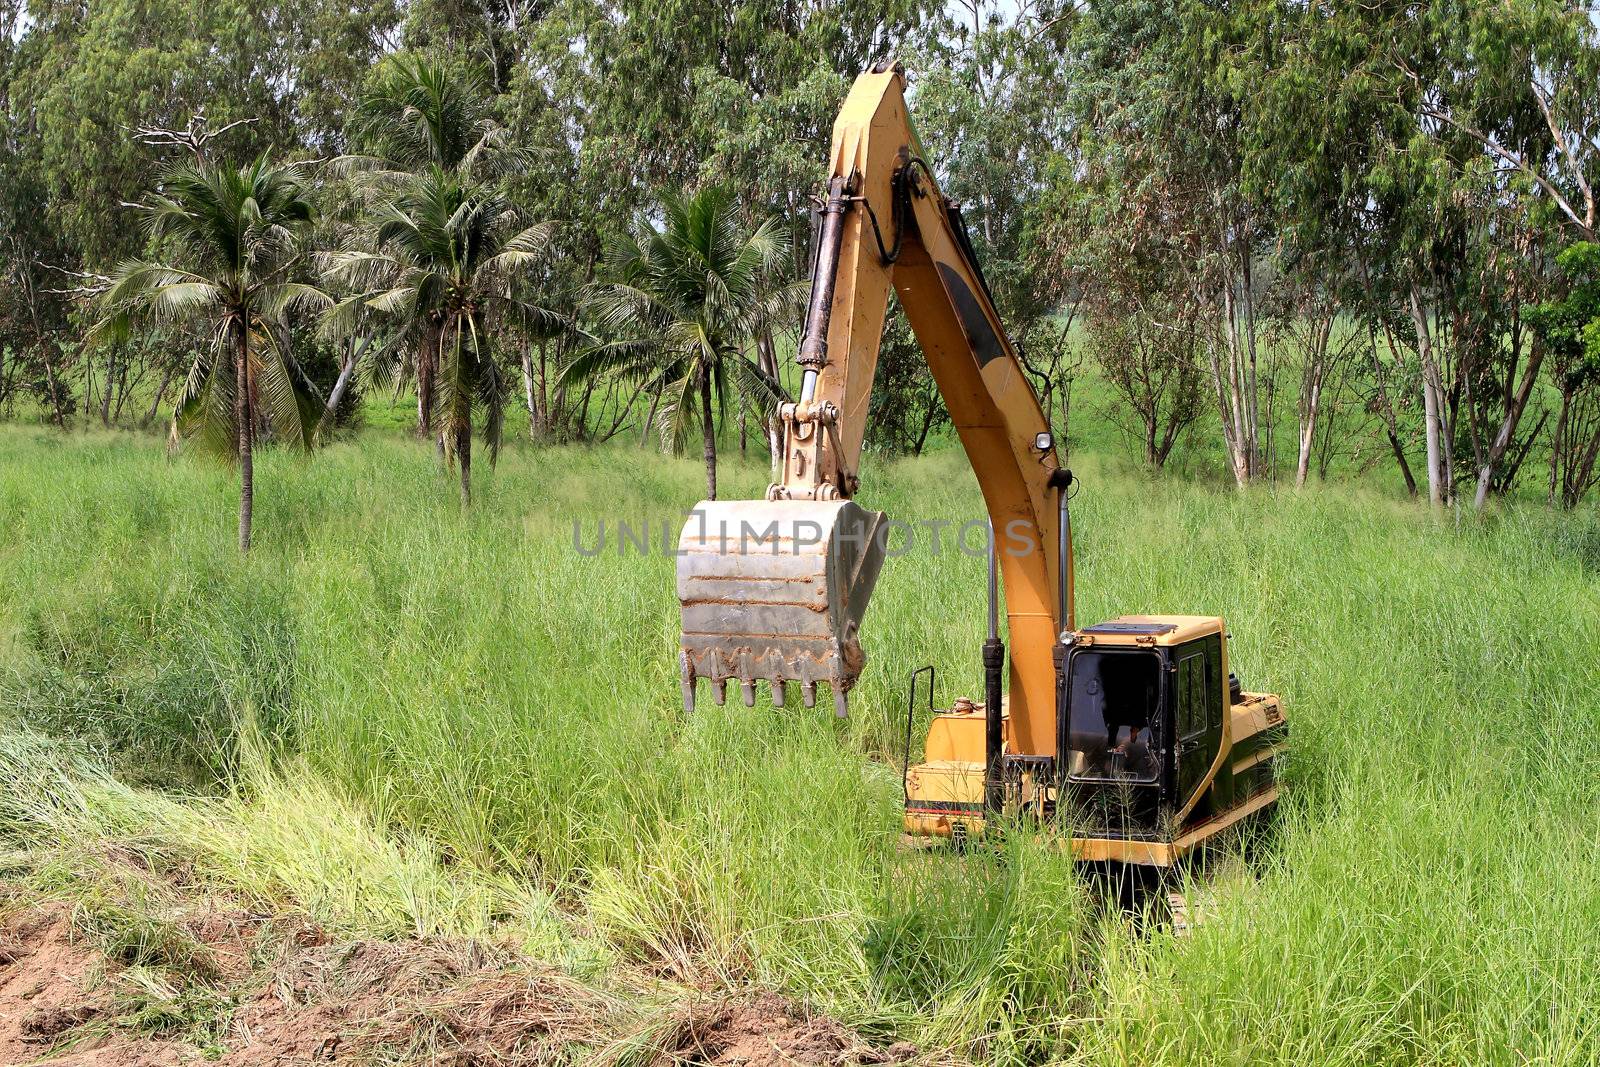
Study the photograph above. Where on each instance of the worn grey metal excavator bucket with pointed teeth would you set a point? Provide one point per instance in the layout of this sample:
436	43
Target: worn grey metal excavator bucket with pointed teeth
777	591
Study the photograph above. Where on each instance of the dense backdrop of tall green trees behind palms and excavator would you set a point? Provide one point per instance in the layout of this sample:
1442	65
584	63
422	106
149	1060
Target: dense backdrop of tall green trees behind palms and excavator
1276	236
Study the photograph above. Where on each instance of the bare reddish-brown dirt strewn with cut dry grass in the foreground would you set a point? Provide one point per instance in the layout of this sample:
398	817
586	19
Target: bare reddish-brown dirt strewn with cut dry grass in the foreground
71	999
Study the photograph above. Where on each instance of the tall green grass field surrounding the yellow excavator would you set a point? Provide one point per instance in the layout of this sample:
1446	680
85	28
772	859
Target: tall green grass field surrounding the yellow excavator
406	719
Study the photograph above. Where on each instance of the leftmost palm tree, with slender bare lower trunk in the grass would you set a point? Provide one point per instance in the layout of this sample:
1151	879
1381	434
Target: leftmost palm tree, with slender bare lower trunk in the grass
233	242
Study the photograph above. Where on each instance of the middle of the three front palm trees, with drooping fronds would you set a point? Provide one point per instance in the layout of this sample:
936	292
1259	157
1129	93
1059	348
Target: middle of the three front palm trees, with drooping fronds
447	258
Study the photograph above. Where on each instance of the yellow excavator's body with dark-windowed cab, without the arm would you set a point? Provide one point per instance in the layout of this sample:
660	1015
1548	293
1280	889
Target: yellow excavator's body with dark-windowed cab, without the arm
1161	749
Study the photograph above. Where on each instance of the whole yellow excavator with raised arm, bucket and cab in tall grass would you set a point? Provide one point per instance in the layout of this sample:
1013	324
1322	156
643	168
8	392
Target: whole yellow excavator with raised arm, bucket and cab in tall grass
1130	737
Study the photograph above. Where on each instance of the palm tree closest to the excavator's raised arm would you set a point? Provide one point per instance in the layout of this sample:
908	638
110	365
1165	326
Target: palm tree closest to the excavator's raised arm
686	298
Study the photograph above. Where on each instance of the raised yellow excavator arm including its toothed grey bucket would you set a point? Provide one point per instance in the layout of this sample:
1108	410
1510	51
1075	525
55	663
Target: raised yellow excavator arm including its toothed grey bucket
777	589
